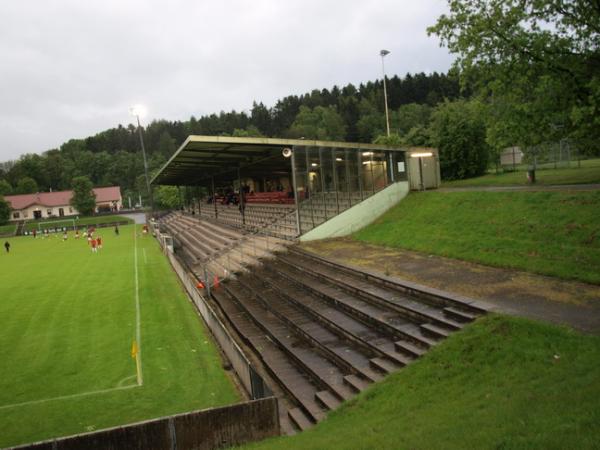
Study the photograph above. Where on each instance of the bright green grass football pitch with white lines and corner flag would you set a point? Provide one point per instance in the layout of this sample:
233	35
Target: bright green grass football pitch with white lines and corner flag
68	318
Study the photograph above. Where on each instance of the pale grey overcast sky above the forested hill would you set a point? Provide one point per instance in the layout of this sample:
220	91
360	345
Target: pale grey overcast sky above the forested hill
70	69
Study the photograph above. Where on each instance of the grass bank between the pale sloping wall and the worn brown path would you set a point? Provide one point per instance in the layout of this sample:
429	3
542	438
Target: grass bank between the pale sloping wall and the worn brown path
551	233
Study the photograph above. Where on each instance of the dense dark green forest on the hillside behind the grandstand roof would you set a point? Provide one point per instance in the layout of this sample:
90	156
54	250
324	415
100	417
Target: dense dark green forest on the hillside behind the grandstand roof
349	113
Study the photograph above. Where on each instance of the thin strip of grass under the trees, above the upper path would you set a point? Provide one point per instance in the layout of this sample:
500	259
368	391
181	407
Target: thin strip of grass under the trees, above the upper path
589	172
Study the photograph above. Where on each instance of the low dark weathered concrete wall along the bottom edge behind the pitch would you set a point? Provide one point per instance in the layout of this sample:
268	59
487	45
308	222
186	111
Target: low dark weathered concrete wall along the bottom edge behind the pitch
206	429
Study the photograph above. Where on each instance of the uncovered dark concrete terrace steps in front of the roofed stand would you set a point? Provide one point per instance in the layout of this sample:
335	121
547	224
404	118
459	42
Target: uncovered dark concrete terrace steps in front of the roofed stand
325	332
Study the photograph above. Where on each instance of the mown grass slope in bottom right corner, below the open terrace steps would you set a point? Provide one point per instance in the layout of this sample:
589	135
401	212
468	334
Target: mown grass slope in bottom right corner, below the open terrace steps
500	383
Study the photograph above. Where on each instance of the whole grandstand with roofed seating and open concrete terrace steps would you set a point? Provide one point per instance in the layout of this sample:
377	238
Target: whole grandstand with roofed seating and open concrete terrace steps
316	331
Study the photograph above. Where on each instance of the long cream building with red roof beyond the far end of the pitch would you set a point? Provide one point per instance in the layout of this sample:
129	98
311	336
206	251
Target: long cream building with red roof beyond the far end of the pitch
48	205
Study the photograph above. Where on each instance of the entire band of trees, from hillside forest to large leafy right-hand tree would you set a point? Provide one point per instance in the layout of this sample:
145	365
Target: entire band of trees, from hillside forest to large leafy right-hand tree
526	73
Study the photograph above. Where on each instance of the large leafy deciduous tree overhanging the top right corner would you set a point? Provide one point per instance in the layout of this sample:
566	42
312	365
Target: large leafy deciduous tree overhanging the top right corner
537	62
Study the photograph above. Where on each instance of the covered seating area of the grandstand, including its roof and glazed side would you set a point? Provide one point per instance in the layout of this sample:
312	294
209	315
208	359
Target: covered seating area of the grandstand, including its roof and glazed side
242	177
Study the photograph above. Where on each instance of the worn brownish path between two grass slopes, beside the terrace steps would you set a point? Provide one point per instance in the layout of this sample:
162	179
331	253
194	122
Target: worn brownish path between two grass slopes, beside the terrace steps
508	291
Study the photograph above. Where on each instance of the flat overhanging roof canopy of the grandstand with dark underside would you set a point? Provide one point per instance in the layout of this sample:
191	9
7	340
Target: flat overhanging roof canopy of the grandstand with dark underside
200	158
